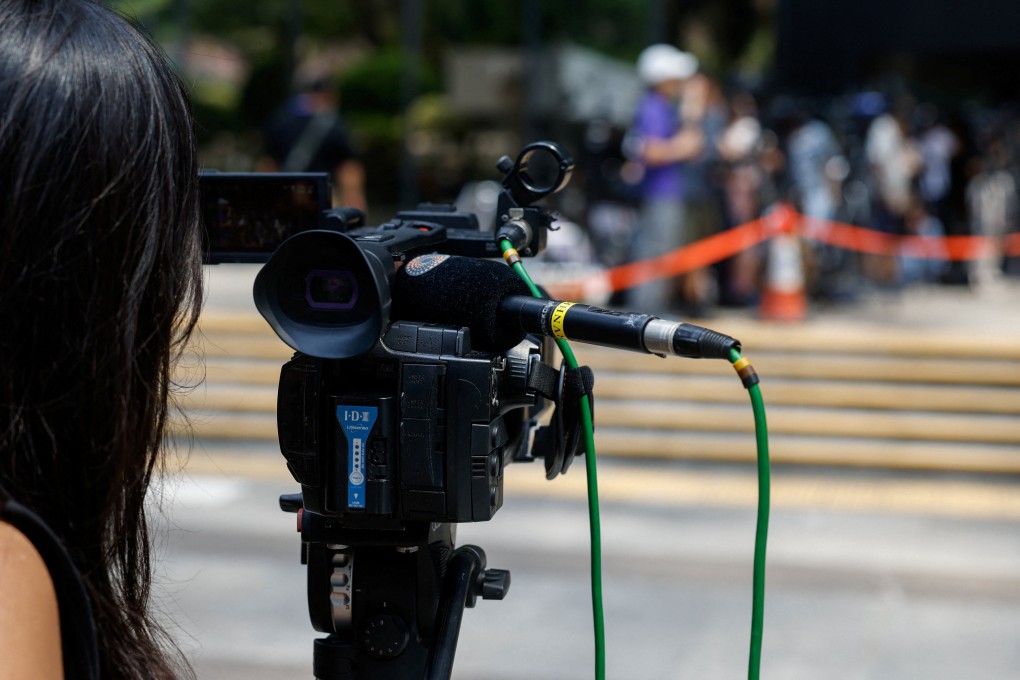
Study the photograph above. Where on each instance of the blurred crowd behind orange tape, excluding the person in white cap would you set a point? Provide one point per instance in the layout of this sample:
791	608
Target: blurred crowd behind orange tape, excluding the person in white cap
884	161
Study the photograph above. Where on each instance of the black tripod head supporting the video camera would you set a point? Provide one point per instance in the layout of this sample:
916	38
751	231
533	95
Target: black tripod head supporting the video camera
391	602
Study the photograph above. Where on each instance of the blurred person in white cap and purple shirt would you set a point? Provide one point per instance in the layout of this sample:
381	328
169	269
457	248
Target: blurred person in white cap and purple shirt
661	144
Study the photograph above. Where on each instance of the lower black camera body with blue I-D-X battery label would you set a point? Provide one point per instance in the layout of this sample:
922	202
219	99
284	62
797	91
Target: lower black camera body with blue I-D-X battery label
420	429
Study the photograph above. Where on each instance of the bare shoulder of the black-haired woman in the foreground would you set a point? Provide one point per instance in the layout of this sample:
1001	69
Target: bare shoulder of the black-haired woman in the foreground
30	622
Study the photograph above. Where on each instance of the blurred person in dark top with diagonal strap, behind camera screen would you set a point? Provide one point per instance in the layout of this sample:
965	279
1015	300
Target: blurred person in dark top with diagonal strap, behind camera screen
308	135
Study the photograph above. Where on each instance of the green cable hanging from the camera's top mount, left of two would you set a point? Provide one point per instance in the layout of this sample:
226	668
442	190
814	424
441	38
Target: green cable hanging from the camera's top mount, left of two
593	486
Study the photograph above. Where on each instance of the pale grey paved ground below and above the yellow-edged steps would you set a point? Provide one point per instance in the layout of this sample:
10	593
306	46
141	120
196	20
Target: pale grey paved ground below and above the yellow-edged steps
873	576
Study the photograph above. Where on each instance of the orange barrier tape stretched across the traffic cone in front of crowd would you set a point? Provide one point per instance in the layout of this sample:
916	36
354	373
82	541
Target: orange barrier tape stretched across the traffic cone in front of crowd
784	220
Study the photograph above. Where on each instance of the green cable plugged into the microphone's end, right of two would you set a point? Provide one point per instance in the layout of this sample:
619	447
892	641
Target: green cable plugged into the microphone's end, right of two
761	532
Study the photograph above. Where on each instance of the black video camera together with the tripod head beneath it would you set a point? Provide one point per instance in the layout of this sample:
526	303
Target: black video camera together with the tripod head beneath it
395	426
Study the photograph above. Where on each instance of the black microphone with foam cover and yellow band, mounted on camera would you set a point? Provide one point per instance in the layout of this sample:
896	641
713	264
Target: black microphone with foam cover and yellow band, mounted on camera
495	304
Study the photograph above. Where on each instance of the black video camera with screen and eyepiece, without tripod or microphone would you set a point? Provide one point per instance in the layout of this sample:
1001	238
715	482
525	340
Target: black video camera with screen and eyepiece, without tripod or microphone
386	424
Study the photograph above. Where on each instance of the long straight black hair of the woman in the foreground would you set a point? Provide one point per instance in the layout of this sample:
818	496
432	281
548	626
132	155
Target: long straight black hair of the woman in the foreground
100	285
